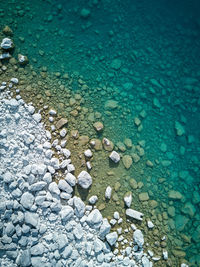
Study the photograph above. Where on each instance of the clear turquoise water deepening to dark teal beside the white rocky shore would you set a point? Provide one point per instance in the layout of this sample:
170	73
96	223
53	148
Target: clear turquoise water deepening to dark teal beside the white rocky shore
144	55
